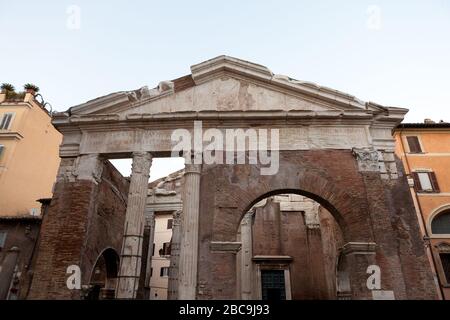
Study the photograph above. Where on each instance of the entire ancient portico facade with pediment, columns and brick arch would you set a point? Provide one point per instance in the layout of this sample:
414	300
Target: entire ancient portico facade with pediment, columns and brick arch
325	145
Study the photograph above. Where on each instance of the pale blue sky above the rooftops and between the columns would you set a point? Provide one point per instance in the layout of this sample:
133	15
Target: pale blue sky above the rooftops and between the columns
396	53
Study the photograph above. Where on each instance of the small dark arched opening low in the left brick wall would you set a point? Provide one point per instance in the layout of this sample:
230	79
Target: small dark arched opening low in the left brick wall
104	276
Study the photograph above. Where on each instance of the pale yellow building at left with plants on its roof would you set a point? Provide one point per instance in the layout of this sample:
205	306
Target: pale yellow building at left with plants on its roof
28	154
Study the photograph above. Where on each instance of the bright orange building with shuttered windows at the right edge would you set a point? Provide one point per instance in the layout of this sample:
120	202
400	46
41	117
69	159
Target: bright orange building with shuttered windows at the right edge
424	149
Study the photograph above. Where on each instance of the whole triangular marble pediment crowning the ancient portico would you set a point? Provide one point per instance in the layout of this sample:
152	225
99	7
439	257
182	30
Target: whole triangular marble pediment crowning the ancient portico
226	84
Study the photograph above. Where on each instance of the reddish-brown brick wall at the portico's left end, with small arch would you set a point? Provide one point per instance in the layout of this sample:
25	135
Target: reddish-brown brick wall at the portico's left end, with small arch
84	218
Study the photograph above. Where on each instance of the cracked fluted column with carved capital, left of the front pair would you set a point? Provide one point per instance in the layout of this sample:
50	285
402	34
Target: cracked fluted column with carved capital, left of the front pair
131	254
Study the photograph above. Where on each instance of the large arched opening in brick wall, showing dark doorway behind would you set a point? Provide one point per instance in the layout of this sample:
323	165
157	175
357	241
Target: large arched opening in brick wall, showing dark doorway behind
291	249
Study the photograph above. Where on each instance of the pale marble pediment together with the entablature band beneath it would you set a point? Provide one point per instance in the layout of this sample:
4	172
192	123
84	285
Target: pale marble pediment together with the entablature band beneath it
226	93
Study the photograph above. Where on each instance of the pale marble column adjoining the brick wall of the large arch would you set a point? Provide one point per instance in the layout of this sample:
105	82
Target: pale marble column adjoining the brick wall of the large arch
189	234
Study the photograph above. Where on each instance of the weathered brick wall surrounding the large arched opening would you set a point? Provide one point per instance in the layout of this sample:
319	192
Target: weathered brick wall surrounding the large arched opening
367	209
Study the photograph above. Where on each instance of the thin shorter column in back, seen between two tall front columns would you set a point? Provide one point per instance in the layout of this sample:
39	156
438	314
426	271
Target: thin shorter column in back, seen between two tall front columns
174	256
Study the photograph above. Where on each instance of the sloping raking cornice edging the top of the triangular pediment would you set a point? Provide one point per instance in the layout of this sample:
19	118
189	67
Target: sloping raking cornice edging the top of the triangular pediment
334	100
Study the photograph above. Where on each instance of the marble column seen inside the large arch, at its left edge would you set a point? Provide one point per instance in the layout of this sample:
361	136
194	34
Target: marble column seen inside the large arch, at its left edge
246	256
